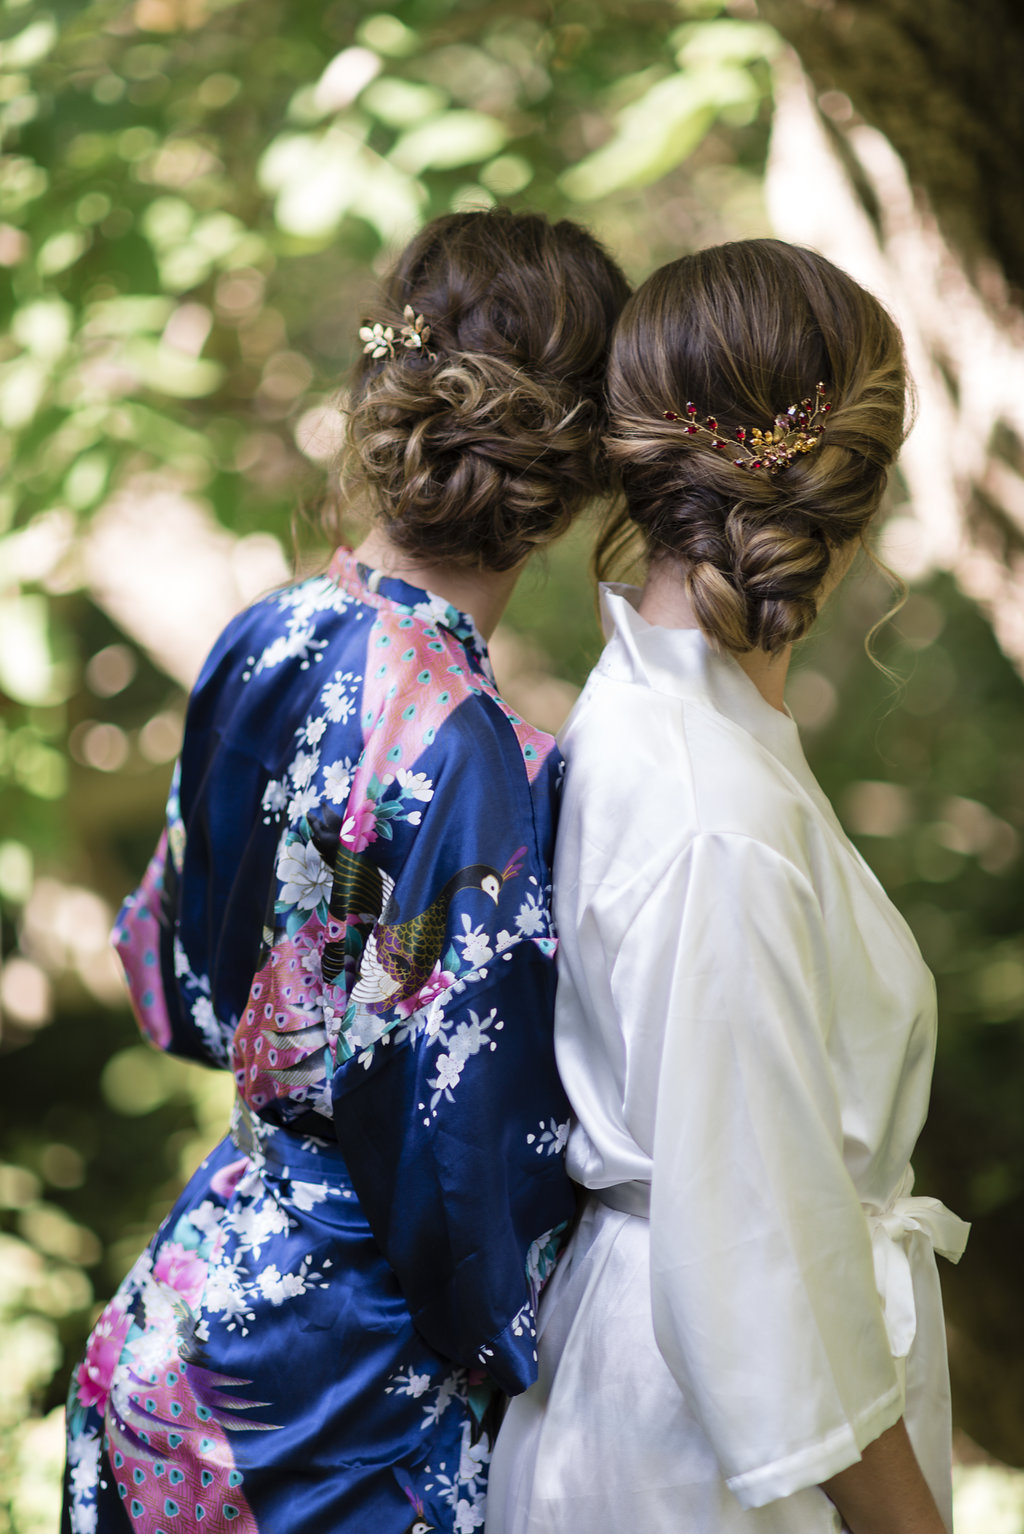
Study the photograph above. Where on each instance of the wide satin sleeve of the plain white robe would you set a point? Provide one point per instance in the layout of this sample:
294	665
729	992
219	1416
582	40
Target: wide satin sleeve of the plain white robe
763	1283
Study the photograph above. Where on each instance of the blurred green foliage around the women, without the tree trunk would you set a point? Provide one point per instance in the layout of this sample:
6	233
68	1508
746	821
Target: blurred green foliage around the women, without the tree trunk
194	199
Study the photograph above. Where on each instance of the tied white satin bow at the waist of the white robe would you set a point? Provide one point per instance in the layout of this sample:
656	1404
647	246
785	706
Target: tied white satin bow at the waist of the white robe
891	1233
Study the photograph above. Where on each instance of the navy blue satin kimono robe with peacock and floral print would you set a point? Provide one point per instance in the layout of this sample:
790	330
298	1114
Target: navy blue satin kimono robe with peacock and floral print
350	912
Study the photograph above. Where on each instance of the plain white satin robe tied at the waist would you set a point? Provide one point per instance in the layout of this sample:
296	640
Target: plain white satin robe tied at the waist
746	1030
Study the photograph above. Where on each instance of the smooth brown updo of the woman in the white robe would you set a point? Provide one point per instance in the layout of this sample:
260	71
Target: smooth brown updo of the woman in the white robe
744	332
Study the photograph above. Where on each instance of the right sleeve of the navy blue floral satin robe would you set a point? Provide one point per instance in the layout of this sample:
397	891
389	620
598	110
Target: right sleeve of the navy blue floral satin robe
448	1110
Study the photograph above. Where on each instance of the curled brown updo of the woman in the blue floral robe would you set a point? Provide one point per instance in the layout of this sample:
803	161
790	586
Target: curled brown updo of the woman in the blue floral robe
488	449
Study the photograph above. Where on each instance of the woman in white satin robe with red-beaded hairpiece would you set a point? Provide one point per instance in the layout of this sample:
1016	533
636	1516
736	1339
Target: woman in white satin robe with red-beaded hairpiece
746	1334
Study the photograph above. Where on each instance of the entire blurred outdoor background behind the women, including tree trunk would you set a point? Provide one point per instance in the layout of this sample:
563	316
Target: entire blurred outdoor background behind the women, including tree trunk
195	197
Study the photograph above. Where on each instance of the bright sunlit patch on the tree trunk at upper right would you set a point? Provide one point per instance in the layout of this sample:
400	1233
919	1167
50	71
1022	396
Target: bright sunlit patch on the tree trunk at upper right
967	354
